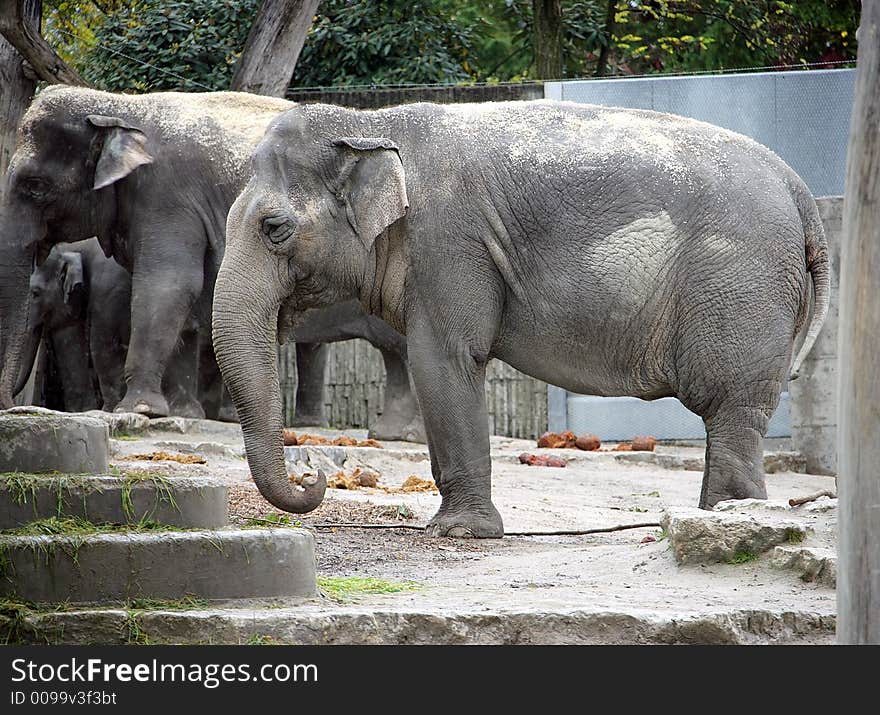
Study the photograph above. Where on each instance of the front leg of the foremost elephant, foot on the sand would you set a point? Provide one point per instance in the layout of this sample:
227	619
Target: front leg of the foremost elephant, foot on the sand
451	392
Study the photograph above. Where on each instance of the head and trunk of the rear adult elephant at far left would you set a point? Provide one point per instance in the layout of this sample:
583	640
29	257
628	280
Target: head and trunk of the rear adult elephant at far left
59	187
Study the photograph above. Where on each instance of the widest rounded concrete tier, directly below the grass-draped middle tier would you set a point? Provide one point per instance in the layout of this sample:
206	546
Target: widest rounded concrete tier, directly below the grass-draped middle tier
96	568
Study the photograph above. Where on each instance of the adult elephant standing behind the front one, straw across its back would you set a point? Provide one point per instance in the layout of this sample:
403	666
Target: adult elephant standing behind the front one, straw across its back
152	177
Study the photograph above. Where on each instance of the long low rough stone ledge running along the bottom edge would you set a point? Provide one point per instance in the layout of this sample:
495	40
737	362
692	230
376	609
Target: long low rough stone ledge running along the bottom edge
322	624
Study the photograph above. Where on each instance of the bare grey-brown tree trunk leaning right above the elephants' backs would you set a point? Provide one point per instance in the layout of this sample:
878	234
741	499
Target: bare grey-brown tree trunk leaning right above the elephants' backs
275	40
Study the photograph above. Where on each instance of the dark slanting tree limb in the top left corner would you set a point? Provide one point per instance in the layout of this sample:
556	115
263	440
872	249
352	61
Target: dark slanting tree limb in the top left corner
17	26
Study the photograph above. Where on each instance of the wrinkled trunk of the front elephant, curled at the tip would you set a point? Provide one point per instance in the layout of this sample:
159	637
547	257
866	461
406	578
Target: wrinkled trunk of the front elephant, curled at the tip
245	324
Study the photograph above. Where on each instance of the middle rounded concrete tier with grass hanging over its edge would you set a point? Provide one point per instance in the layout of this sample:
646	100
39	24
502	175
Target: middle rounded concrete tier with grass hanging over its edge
184	501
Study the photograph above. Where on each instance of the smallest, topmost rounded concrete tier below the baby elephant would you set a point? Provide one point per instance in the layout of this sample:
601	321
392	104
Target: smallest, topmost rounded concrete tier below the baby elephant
34	439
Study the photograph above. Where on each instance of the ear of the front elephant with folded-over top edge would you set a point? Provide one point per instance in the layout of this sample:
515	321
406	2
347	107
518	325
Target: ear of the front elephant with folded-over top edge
373	185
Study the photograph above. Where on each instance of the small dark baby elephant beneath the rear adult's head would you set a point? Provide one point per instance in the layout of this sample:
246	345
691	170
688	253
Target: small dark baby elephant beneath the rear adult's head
79	303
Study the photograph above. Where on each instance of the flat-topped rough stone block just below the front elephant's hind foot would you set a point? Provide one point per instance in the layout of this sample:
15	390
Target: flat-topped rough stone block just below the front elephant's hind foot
699	536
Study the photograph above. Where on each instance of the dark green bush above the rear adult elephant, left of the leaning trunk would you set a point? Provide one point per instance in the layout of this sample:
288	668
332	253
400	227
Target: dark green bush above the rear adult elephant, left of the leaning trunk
188	46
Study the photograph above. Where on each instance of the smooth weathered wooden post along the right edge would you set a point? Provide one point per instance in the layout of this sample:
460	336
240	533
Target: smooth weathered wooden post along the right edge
858	582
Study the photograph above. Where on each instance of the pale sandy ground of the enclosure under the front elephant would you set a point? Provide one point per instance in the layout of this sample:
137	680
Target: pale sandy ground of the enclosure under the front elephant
600	571
